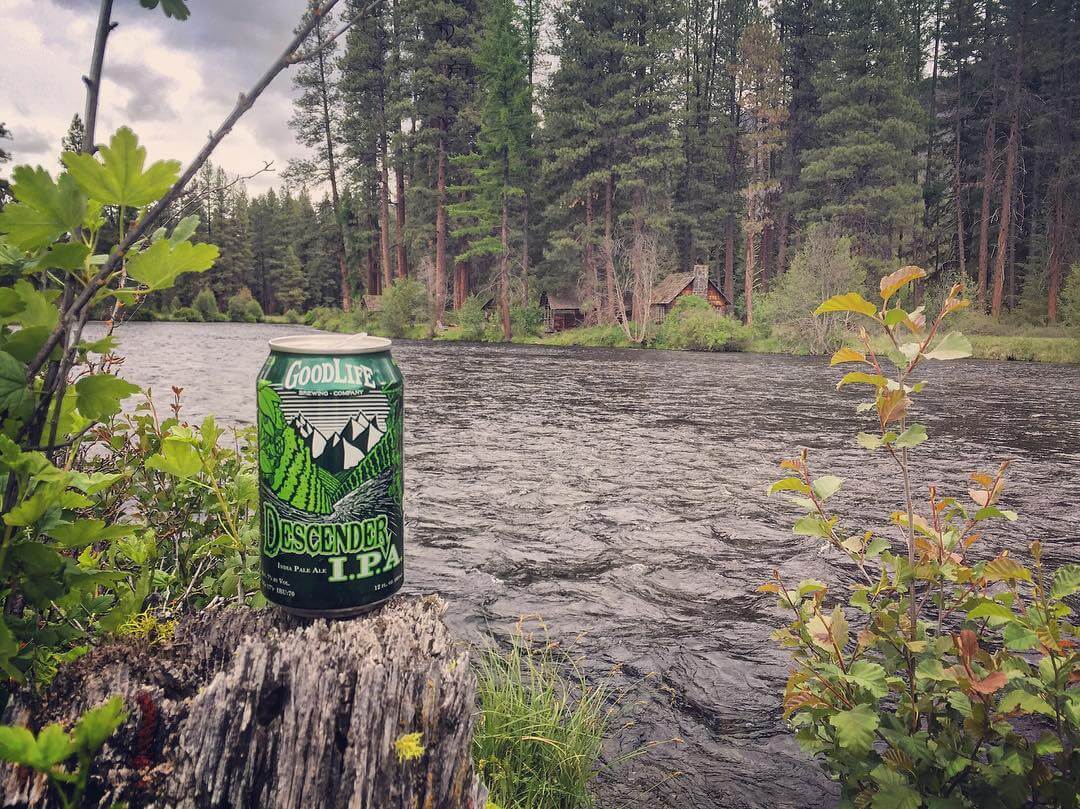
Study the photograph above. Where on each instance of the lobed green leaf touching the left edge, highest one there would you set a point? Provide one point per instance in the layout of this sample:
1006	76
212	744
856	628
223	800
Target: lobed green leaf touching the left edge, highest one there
44	210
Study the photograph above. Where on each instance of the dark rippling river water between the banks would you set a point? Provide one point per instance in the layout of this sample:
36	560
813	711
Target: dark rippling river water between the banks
620	495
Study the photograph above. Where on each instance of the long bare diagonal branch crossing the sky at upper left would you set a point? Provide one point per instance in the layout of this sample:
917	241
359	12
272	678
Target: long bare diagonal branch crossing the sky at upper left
146	224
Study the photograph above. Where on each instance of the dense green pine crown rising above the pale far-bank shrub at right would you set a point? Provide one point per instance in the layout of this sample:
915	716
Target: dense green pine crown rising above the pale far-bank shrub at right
862	176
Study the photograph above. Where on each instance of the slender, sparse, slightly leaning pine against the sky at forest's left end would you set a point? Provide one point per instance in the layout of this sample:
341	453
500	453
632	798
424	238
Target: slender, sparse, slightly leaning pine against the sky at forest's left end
315	123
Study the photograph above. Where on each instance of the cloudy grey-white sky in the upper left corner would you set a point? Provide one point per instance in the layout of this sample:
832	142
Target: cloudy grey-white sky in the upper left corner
171	82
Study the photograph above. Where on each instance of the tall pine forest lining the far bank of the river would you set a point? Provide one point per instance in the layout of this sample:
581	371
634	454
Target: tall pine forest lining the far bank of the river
515	146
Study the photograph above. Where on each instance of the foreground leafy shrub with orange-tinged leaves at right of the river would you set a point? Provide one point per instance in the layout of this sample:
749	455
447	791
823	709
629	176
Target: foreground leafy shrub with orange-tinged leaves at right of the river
949	681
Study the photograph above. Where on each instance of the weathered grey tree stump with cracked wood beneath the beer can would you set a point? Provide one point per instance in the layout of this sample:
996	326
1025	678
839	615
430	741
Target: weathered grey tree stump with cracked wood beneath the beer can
260	709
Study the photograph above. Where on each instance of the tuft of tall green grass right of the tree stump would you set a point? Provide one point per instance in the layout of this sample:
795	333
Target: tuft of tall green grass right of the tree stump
541	734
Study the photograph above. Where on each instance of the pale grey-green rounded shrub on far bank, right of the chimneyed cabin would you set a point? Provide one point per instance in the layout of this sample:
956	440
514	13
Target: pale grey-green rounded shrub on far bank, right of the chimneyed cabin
823	267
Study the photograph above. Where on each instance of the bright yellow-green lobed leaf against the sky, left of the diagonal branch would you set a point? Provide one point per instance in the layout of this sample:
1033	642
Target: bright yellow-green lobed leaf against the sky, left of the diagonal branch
119	179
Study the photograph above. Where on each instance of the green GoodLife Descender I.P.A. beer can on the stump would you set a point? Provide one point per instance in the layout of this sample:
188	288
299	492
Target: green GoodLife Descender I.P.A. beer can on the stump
331	478
